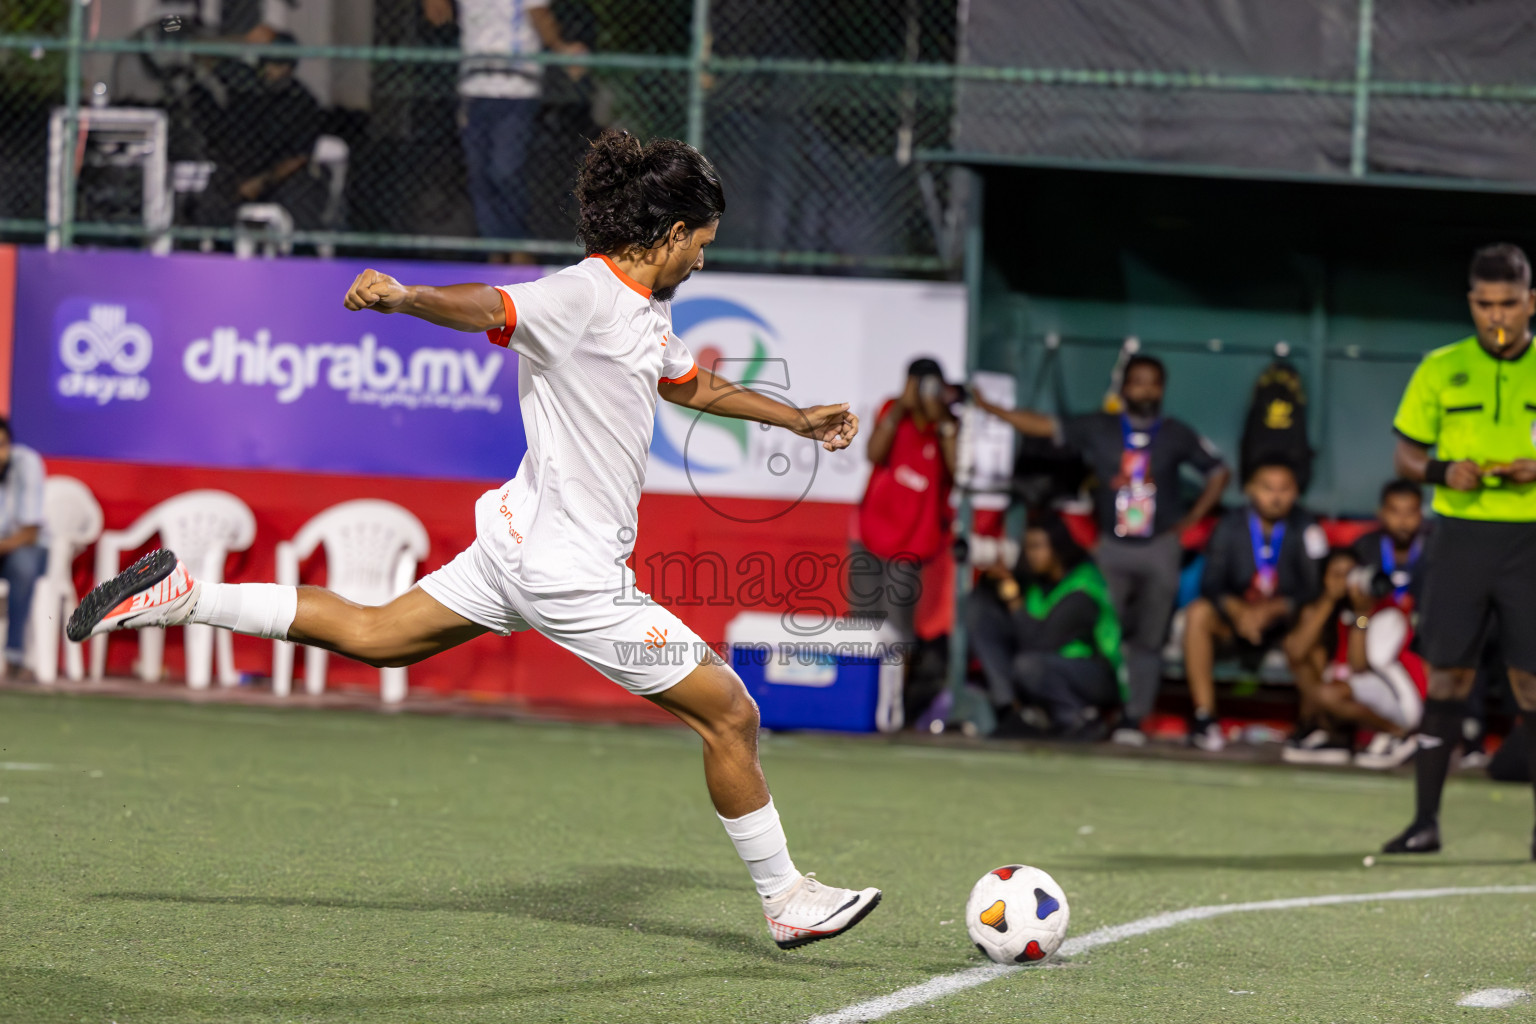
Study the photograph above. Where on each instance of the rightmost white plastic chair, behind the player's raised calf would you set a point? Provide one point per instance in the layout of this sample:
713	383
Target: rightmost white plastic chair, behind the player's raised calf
372	550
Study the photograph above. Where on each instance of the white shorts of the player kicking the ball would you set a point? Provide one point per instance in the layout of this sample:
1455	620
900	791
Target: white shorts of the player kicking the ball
623	635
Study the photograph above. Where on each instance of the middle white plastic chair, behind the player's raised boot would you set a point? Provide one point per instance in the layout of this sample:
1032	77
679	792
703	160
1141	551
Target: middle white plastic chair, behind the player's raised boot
202	527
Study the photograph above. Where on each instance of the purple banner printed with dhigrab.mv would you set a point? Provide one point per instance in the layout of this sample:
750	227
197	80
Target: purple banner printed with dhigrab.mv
256	365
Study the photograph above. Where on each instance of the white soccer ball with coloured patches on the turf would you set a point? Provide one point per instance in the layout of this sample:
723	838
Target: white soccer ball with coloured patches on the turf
1018	916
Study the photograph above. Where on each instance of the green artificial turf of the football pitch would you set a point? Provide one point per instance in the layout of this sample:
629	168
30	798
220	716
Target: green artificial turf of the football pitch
165	862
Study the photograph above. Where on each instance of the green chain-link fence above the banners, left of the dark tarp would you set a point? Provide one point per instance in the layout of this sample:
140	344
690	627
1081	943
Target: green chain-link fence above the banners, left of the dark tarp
363	125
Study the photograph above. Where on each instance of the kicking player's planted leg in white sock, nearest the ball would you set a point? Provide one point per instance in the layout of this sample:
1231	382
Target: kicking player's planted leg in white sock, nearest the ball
799	908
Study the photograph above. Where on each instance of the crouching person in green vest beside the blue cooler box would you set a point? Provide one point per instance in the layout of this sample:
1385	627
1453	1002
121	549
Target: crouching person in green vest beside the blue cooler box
1047	636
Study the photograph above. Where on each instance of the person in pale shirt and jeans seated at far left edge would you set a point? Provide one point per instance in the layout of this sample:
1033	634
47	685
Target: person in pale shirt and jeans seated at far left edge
24	557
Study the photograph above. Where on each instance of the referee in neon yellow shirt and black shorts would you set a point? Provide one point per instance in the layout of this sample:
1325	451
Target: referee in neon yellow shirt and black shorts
1475	405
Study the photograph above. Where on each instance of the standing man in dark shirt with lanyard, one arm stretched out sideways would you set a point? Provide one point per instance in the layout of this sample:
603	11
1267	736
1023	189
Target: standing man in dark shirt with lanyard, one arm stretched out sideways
1137	460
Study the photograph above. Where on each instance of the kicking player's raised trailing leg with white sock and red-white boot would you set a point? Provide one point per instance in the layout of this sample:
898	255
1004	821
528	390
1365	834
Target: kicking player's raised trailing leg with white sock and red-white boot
159	592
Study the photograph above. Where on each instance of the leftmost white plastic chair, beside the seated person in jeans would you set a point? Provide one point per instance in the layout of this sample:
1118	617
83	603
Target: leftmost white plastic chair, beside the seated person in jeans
73	520
